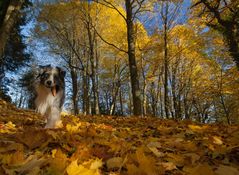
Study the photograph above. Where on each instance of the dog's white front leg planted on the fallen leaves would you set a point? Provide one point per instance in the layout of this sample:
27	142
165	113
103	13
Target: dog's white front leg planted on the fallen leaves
53	117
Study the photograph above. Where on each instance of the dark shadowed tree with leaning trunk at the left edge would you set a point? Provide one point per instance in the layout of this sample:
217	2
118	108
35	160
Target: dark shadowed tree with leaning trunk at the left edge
12	47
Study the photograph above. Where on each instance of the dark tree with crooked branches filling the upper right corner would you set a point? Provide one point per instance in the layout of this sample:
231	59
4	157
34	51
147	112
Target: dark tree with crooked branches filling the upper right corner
223	16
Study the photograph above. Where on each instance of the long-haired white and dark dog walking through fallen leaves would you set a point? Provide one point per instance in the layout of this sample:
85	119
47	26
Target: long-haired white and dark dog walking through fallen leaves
50	93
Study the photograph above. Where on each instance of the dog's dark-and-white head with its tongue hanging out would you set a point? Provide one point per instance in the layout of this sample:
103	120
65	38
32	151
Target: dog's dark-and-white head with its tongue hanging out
52	78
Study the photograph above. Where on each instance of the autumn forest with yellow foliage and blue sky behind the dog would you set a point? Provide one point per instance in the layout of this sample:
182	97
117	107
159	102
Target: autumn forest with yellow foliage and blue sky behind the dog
168	59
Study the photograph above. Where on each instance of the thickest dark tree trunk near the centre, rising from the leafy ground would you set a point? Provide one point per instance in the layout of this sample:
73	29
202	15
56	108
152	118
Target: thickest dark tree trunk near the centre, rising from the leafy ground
132	60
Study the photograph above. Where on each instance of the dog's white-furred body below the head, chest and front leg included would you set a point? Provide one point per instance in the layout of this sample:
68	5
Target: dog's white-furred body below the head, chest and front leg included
48	105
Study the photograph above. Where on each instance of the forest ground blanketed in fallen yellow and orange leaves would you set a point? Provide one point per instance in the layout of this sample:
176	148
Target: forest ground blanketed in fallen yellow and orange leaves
91	145
